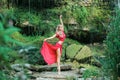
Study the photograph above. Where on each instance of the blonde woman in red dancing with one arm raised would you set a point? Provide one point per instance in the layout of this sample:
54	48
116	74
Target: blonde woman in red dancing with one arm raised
52	53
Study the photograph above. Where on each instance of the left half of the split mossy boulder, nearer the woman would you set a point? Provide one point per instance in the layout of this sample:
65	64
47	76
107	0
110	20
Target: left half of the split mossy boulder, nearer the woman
72	50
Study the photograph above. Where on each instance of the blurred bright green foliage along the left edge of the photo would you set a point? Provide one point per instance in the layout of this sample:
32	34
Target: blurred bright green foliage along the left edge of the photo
6	42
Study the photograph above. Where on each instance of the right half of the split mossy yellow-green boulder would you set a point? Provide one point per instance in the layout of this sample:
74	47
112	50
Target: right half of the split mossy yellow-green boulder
85	52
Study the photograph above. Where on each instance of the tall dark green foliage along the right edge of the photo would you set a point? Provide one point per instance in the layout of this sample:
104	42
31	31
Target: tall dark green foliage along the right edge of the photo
113	46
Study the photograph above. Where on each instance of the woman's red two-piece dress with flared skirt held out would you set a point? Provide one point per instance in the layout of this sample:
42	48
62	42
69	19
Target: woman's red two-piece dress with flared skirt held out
48	50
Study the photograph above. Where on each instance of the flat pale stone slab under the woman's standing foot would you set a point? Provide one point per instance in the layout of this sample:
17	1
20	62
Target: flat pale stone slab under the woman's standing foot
54	75
